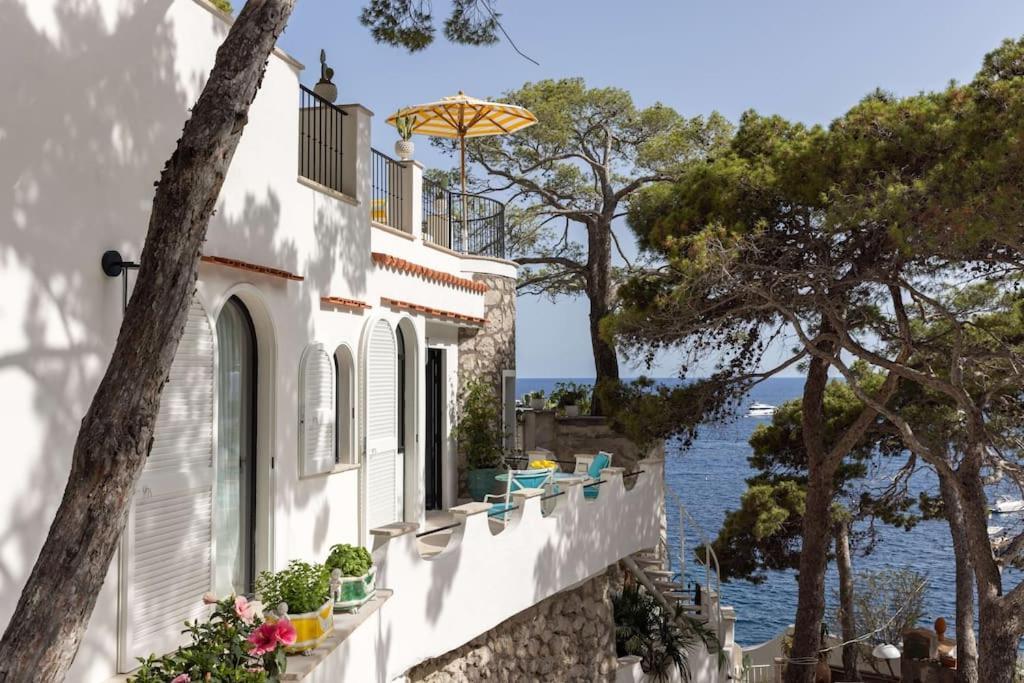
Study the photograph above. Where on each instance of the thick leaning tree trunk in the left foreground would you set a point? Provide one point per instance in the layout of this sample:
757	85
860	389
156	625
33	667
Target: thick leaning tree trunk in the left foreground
46	631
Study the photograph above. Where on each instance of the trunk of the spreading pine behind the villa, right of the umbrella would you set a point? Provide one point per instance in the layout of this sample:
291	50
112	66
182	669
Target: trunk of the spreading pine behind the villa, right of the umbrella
600	291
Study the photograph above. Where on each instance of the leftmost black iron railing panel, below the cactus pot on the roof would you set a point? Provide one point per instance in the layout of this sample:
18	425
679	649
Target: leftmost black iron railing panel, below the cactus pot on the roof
320	140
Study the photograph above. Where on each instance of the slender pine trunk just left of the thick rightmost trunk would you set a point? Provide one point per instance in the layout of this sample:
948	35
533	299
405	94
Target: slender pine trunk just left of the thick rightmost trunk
967	648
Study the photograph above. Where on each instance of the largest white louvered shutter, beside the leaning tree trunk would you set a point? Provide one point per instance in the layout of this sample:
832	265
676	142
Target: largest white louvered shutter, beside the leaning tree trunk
168	543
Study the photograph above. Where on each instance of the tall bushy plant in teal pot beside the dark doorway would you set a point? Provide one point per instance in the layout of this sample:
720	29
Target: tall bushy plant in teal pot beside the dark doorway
479	436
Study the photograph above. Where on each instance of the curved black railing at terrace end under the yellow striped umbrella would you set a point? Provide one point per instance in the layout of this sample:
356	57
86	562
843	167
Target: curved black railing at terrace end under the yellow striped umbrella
467	224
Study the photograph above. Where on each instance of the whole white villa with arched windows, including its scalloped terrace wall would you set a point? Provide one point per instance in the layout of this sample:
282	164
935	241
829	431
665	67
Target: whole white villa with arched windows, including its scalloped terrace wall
314	393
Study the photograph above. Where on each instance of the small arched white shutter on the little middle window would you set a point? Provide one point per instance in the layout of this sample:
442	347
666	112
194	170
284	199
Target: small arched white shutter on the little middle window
317	411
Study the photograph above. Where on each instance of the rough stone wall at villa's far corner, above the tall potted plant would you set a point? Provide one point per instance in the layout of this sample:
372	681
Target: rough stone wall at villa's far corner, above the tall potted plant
485	353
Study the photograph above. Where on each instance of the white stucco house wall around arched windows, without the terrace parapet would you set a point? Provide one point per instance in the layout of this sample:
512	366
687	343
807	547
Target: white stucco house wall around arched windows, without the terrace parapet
91	116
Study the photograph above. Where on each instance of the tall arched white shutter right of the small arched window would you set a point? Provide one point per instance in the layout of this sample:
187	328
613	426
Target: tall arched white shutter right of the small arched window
381	428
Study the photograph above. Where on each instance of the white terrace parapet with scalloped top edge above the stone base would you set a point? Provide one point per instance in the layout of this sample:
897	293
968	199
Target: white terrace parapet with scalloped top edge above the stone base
482	579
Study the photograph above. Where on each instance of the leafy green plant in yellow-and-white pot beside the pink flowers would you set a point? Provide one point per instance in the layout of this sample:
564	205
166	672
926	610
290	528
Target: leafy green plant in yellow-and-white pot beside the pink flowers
302	594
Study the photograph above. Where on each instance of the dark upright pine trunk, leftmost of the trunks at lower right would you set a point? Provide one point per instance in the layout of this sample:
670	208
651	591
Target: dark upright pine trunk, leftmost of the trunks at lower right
817	530
